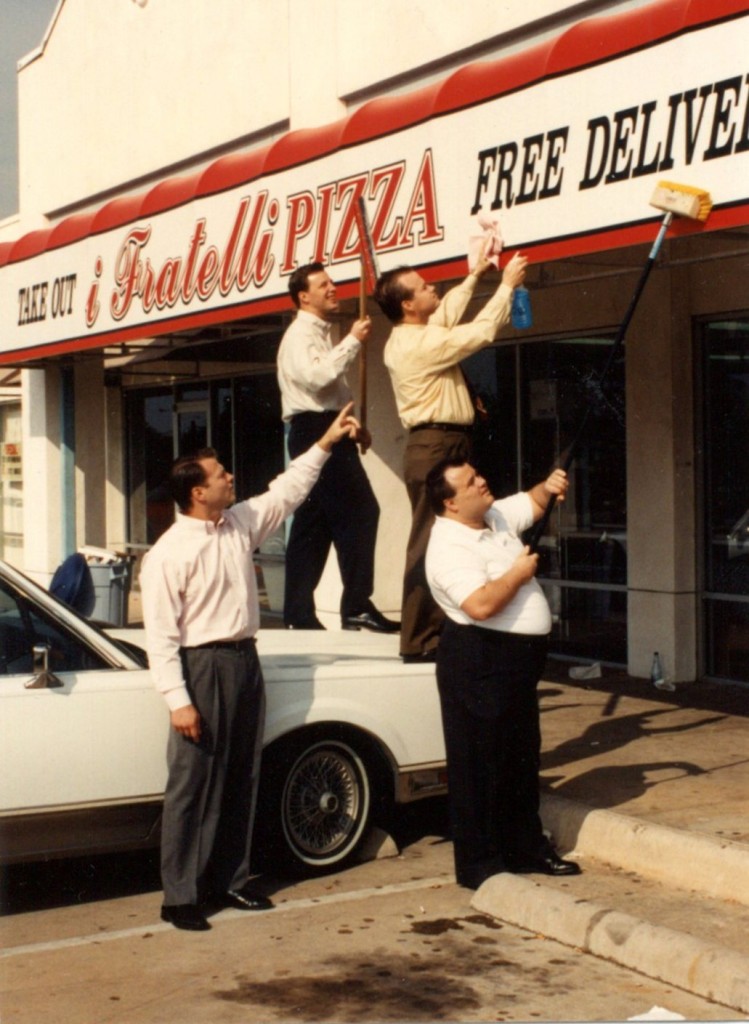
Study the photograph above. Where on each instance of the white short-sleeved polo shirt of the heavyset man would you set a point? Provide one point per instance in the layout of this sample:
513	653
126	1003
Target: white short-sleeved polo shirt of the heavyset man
461	560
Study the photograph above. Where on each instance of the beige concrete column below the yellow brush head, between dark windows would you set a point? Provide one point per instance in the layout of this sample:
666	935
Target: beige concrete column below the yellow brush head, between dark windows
662	607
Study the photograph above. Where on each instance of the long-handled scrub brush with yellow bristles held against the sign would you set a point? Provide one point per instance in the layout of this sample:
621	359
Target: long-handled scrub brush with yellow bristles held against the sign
676	201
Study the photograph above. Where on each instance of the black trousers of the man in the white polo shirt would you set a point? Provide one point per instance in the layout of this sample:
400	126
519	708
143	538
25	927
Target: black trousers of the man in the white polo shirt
488	692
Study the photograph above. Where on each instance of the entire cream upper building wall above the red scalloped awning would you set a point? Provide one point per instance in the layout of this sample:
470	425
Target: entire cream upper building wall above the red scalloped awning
119	94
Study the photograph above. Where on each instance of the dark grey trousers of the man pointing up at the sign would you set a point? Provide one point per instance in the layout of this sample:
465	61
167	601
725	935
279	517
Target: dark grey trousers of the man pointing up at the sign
212	792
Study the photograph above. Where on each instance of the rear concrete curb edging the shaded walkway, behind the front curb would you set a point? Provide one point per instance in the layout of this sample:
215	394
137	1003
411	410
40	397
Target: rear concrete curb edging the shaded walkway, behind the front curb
691	861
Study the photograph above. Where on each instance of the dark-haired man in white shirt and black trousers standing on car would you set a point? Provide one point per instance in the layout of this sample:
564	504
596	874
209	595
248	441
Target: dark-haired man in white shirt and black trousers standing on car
342	509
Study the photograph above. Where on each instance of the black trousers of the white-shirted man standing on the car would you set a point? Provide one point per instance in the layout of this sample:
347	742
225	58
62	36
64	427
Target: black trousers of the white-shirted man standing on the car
342	510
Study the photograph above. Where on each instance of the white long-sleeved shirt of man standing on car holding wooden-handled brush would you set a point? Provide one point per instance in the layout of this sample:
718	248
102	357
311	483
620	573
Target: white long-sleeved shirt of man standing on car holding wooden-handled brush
312	366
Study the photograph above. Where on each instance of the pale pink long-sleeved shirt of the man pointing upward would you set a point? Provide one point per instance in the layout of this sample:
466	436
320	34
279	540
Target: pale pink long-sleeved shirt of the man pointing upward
198	581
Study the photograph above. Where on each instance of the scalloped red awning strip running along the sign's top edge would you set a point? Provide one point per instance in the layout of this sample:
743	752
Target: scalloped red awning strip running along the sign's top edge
587	44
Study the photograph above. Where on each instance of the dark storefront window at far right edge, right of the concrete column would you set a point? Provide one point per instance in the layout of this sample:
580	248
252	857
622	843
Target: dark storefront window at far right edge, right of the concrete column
726	596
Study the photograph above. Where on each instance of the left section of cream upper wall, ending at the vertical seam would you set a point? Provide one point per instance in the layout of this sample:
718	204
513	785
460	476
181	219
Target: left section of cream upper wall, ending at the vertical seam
146	89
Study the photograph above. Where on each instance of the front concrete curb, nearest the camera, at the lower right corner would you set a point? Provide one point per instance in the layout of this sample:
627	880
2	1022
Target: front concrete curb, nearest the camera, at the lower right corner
704	969
